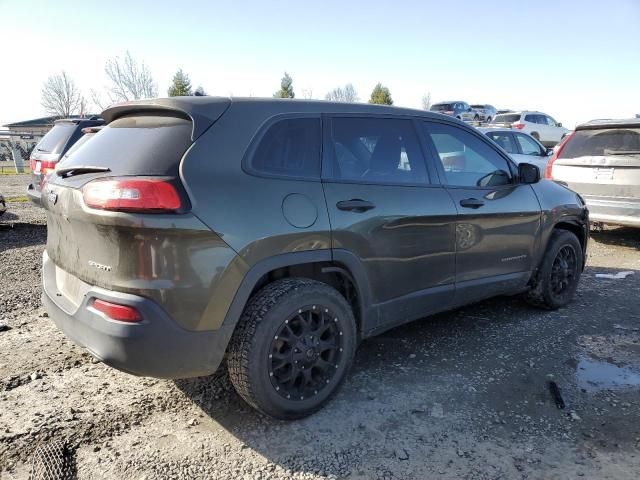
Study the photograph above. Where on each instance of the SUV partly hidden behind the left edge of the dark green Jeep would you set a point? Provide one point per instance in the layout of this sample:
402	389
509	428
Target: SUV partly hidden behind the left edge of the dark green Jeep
52	147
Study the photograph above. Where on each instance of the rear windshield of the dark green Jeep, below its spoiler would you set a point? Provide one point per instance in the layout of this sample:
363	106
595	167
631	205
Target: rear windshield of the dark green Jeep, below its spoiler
141	144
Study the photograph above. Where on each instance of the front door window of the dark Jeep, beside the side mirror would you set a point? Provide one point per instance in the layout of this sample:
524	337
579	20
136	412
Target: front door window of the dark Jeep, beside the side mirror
466	159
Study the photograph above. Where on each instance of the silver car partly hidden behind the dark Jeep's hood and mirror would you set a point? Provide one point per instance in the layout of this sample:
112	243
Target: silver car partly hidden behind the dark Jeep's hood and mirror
523	148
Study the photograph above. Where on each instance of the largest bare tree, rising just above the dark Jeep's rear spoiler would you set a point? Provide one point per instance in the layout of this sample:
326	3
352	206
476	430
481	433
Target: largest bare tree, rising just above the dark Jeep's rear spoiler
129	79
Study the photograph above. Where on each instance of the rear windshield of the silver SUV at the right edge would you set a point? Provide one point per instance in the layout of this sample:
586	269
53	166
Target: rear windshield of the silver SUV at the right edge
610	141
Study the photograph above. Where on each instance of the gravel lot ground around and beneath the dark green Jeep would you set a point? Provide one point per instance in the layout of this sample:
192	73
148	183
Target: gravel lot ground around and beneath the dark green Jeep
458	395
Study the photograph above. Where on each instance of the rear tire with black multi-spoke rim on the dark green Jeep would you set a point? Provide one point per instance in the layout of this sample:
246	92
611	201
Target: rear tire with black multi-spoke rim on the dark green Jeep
292	348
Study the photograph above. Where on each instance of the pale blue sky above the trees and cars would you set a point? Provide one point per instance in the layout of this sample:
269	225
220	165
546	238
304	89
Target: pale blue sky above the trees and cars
574	59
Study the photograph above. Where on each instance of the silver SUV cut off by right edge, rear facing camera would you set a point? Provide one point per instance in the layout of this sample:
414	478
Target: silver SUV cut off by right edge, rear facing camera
601	161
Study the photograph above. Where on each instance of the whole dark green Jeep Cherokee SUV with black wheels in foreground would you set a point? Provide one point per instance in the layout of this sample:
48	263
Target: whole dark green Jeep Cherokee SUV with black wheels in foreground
280	233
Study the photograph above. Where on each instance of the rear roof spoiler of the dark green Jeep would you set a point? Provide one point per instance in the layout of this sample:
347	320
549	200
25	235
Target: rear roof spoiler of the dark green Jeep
203	111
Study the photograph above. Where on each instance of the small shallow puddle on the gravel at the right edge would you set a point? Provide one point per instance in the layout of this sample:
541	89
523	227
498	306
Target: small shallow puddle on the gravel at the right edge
594	375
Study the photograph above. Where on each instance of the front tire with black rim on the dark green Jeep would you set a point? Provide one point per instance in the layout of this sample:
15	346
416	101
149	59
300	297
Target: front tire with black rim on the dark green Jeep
557	278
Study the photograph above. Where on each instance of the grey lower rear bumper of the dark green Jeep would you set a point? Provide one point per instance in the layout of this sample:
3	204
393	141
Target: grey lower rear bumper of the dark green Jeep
156	347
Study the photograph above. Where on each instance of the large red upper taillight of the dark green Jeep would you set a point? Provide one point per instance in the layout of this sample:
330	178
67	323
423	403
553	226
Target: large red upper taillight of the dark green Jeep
147	195
